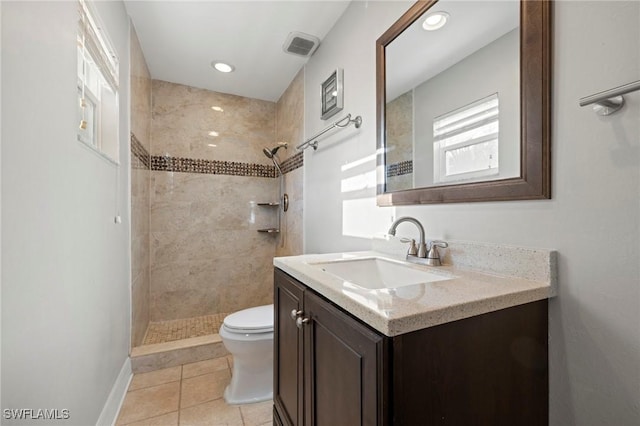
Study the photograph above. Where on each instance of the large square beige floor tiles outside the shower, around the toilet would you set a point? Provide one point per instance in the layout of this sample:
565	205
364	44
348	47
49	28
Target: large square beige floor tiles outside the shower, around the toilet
189	394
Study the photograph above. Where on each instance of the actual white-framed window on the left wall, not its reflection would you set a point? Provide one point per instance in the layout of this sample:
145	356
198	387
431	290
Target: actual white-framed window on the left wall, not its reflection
97	72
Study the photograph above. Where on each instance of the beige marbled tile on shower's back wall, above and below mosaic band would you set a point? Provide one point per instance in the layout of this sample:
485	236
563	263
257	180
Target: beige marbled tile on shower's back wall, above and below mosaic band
206	254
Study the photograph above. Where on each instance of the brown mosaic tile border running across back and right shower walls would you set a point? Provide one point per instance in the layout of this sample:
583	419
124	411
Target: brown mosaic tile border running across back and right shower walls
216	167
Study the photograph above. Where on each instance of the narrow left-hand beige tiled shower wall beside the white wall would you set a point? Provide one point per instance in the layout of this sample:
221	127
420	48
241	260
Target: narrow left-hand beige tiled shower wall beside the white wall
140	190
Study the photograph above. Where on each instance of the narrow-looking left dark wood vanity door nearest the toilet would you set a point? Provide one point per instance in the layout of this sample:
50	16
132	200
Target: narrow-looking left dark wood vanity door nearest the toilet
288	363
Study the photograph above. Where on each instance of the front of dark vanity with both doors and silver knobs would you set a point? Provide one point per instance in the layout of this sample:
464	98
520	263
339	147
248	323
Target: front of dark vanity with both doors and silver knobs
327	364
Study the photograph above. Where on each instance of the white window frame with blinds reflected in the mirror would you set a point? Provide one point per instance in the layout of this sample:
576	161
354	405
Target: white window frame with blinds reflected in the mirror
441	148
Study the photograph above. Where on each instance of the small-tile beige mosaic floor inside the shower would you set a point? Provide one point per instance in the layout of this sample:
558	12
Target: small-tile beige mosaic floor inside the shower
169	331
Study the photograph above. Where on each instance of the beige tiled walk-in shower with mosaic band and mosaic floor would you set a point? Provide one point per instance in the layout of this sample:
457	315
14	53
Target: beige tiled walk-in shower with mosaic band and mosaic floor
198	174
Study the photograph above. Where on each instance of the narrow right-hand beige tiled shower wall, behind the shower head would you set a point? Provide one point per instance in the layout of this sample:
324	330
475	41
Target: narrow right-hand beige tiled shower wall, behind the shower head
290	128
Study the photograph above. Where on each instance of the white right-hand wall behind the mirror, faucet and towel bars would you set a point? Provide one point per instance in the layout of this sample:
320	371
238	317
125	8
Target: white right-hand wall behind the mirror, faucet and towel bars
593	219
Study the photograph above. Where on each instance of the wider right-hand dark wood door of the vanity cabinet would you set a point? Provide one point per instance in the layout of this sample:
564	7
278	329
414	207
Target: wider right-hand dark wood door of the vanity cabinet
344	375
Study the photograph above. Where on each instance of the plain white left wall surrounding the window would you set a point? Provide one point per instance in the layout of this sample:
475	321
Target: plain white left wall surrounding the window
65	264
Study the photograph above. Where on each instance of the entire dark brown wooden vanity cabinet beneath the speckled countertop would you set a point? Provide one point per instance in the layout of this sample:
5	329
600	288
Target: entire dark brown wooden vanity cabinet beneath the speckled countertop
334	370
